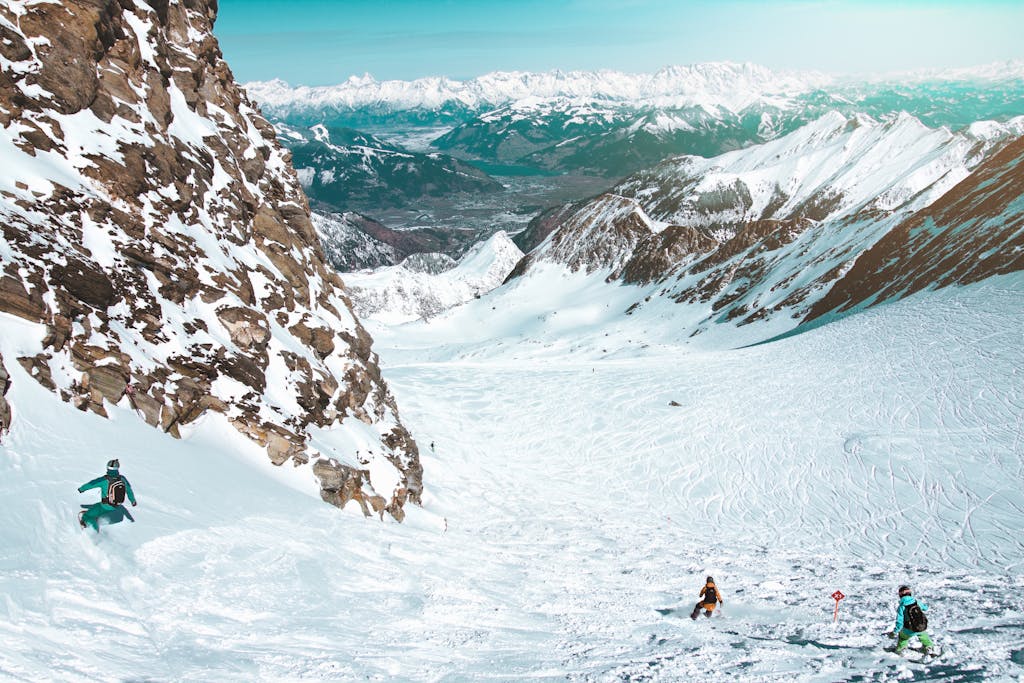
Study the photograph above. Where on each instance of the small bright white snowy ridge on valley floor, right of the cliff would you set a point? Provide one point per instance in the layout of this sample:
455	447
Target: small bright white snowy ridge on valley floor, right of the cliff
414	291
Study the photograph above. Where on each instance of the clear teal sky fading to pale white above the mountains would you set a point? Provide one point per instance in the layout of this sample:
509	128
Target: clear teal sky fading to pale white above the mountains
322	42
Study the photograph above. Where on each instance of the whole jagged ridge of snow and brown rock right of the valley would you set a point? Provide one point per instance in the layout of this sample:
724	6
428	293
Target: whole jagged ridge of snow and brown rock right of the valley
763	234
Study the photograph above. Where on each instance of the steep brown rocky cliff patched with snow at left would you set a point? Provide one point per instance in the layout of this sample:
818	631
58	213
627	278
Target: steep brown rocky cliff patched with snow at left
153	226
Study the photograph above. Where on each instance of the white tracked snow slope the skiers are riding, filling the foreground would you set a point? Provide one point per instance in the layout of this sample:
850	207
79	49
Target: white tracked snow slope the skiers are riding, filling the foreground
571	516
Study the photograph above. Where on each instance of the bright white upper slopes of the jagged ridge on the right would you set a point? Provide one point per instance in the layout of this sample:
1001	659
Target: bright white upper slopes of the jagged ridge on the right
838	164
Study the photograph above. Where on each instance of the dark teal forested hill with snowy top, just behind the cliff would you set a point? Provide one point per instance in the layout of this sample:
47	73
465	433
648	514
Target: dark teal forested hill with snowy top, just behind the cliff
346	169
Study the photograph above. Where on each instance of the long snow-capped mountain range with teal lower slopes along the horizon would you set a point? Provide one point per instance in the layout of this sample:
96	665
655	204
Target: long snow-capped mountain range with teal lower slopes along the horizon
612	124
